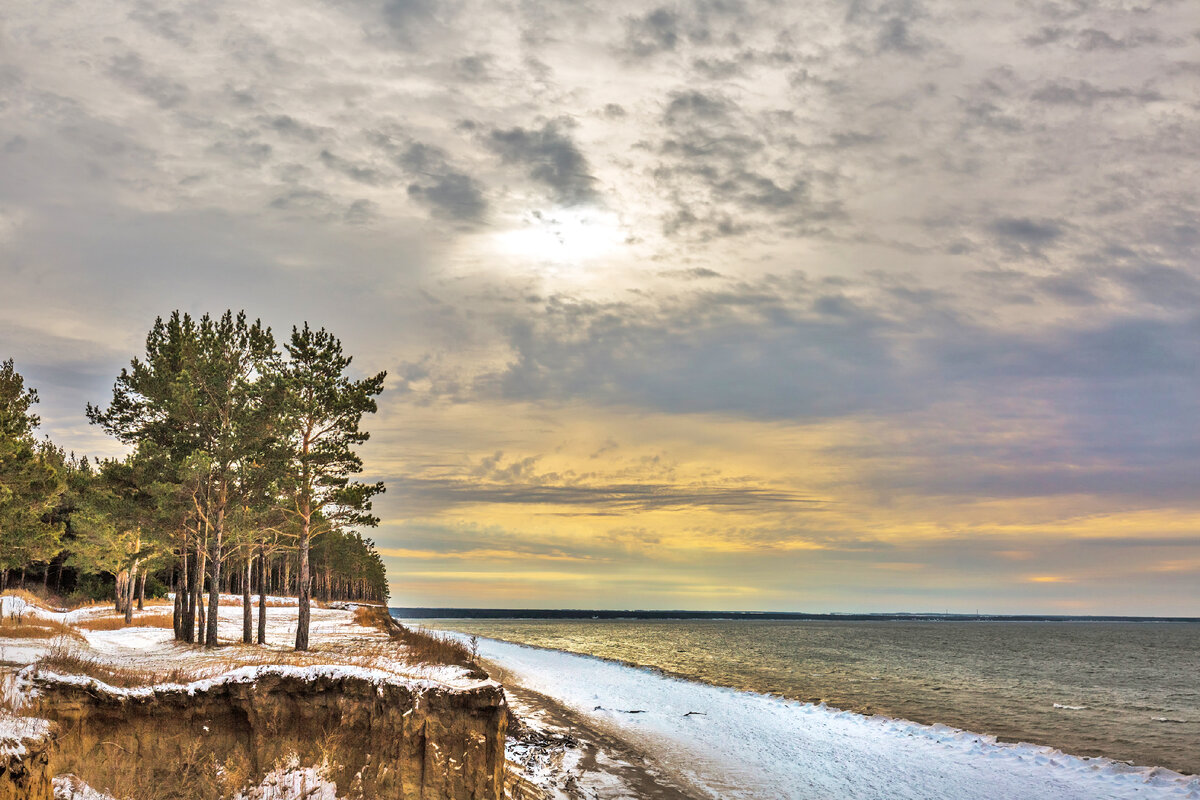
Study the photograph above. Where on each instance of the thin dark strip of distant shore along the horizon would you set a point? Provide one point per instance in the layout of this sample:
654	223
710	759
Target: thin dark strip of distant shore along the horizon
613	615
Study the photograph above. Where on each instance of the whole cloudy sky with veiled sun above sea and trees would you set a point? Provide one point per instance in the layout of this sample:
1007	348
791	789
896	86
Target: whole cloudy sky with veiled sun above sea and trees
716	305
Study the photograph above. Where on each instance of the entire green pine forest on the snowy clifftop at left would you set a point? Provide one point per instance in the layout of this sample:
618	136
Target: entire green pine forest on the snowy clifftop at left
239	479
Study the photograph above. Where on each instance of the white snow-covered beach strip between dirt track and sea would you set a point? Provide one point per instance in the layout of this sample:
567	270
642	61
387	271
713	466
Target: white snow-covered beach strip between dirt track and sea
741	745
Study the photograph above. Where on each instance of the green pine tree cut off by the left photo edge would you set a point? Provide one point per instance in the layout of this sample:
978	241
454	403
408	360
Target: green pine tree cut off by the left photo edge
29	483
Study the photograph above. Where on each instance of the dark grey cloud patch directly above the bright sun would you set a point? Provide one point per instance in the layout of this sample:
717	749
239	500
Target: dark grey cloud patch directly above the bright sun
551	158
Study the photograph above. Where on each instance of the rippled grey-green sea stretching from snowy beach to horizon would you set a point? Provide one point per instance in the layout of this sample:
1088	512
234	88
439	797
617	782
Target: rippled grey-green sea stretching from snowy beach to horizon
1125	690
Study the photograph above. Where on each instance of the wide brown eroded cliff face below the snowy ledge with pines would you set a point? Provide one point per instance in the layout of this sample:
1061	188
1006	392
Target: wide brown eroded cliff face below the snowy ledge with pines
381	739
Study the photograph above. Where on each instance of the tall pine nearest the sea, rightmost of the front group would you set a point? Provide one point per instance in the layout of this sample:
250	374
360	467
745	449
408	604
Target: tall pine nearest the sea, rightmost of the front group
325	410
